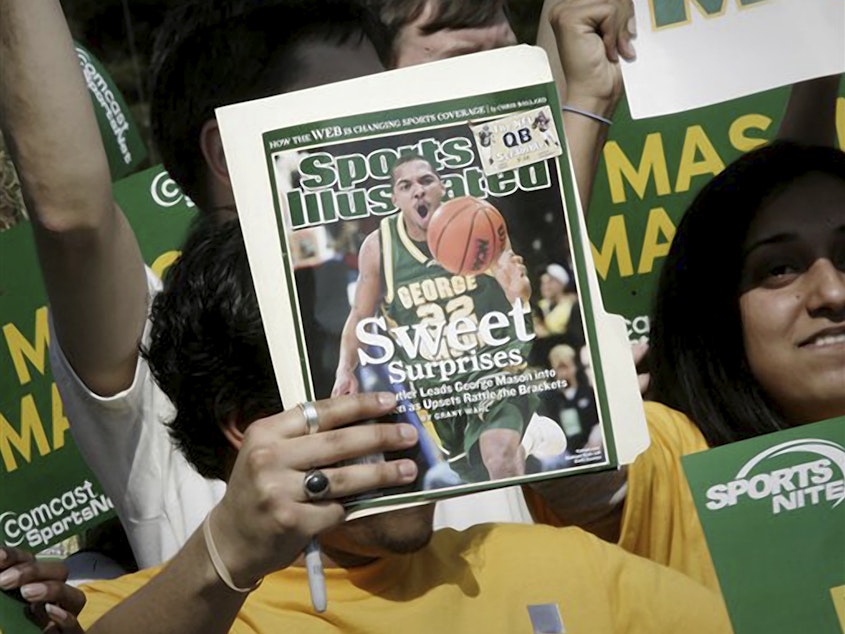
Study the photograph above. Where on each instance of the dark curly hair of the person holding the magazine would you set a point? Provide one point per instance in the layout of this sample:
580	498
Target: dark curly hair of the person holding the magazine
207	349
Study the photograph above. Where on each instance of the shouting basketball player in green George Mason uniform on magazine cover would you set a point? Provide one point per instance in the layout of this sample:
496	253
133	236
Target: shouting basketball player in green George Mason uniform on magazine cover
480	446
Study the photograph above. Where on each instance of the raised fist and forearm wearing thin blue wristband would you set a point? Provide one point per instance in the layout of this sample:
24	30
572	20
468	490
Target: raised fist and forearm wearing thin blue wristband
591	36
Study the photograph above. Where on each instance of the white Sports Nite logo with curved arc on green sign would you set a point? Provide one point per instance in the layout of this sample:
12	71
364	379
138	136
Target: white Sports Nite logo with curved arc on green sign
810	483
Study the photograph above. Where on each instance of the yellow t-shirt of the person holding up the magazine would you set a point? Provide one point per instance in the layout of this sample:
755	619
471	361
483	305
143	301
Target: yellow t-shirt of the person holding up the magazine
479	580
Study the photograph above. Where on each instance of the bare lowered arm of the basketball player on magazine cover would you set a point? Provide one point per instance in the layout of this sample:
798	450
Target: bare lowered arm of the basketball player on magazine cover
367	295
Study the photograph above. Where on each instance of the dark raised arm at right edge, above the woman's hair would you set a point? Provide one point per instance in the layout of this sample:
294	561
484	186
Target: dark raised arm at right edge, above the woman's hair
810	115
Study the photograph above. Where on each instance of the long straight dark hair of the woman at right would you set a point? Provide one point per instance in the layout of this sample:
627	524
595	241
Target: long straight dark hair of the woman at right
698	359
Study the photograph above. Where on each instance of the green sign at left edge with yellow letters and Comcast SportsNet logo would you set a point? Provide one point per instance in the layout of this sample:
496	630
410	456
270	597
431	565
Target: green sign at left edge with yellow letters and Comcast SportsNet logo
47	494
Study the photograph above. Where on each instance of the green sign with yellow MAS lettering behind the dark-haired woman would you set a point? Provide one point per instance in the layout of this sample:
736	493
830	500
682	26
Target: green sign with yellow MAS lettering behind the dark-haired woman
649	173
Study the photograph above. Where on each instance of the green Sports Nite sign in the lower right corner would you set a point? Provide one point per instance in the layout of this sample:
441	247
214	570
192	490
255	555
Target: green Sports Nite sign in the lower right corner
773	512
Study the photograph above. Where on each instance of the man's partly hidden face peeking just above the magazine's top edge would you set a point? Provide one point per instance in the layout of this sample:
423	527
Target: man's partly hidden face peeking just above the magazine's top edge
427	30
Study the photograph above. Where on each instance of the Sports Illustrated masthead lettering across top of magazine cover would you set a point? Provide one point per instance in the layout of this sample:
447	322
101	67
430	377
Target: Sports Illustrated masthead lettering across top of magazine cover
354	186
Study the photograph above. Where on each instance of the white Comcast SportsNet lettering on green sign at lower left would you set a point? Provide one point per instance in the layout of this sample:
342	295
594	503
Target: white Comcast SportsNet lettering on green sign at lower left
53	518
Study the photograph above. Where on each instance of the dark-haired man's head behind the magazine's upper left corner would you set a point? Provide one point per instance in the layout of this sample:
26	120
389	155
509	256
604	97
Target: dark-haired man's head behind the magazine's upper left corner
211	53
